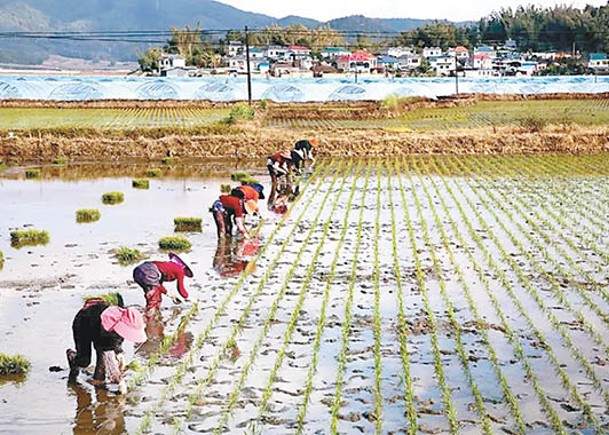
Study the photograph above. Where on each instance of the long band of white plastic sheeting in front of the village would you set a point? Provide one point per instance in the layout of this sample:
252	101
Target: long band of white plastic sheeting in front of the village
291	89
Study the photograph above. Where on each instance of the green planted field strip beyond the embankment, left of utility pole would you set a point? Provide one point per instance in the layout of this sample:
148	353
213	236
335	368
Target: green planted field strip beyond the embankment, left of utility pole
119	118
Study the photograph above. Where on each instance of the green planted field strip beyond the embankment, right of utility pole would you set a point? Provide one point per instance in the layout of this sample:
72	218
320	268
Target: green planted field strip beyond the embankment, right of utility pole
526	114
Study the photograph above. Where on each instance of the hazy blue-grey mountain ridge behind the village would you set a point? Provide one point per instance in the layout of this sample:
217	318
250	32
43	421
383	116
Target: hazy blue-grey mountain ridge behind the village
112	15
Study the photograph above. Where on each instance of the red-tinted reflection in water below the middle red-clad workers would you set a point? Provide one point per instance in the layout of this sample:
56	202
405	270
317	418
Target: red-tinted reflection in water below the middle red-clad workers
234	255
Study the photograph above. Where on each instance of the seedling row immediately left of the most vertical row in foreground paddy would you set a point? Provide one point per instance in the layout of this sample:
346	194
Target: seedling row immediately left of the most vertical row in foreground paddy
346	329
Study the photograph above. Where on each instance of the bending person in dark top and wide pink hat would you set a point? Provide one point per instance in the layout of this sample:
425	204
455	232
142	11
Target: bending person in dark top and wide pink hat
105	327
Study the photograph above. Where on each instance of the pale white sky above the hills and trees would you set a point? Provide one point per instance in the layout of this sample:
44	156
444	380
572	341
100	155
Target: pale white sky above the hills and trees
325	10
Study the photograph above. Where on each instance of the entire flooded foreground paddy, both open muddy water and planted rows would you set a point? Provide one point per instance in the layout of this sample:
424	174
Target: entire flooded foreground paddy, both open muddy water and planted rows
430	295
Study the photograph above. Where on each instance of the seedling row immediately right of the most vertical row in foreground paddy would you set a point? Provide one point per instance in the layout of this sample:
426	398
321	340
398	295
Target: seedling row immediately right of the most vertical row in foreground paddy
410	410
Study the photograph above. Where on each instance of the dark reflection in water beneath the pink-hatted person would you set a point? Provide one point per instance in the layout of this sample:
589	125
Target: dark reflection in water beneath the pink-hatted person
97	410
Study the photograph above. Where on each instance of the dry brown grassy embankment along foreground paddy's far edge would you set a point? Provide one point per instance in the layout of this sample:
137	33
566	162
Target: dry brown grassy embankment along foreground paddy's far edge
252	142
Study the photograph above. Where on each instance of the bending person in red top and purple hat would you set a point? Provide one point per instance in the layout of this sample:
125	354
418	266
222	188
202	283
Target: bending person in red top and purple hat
151	275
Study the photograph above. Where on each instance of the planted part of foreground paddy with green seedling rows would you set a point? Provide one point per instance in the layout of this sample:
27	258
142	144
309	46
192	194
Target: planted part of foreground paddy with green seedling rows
424	295
